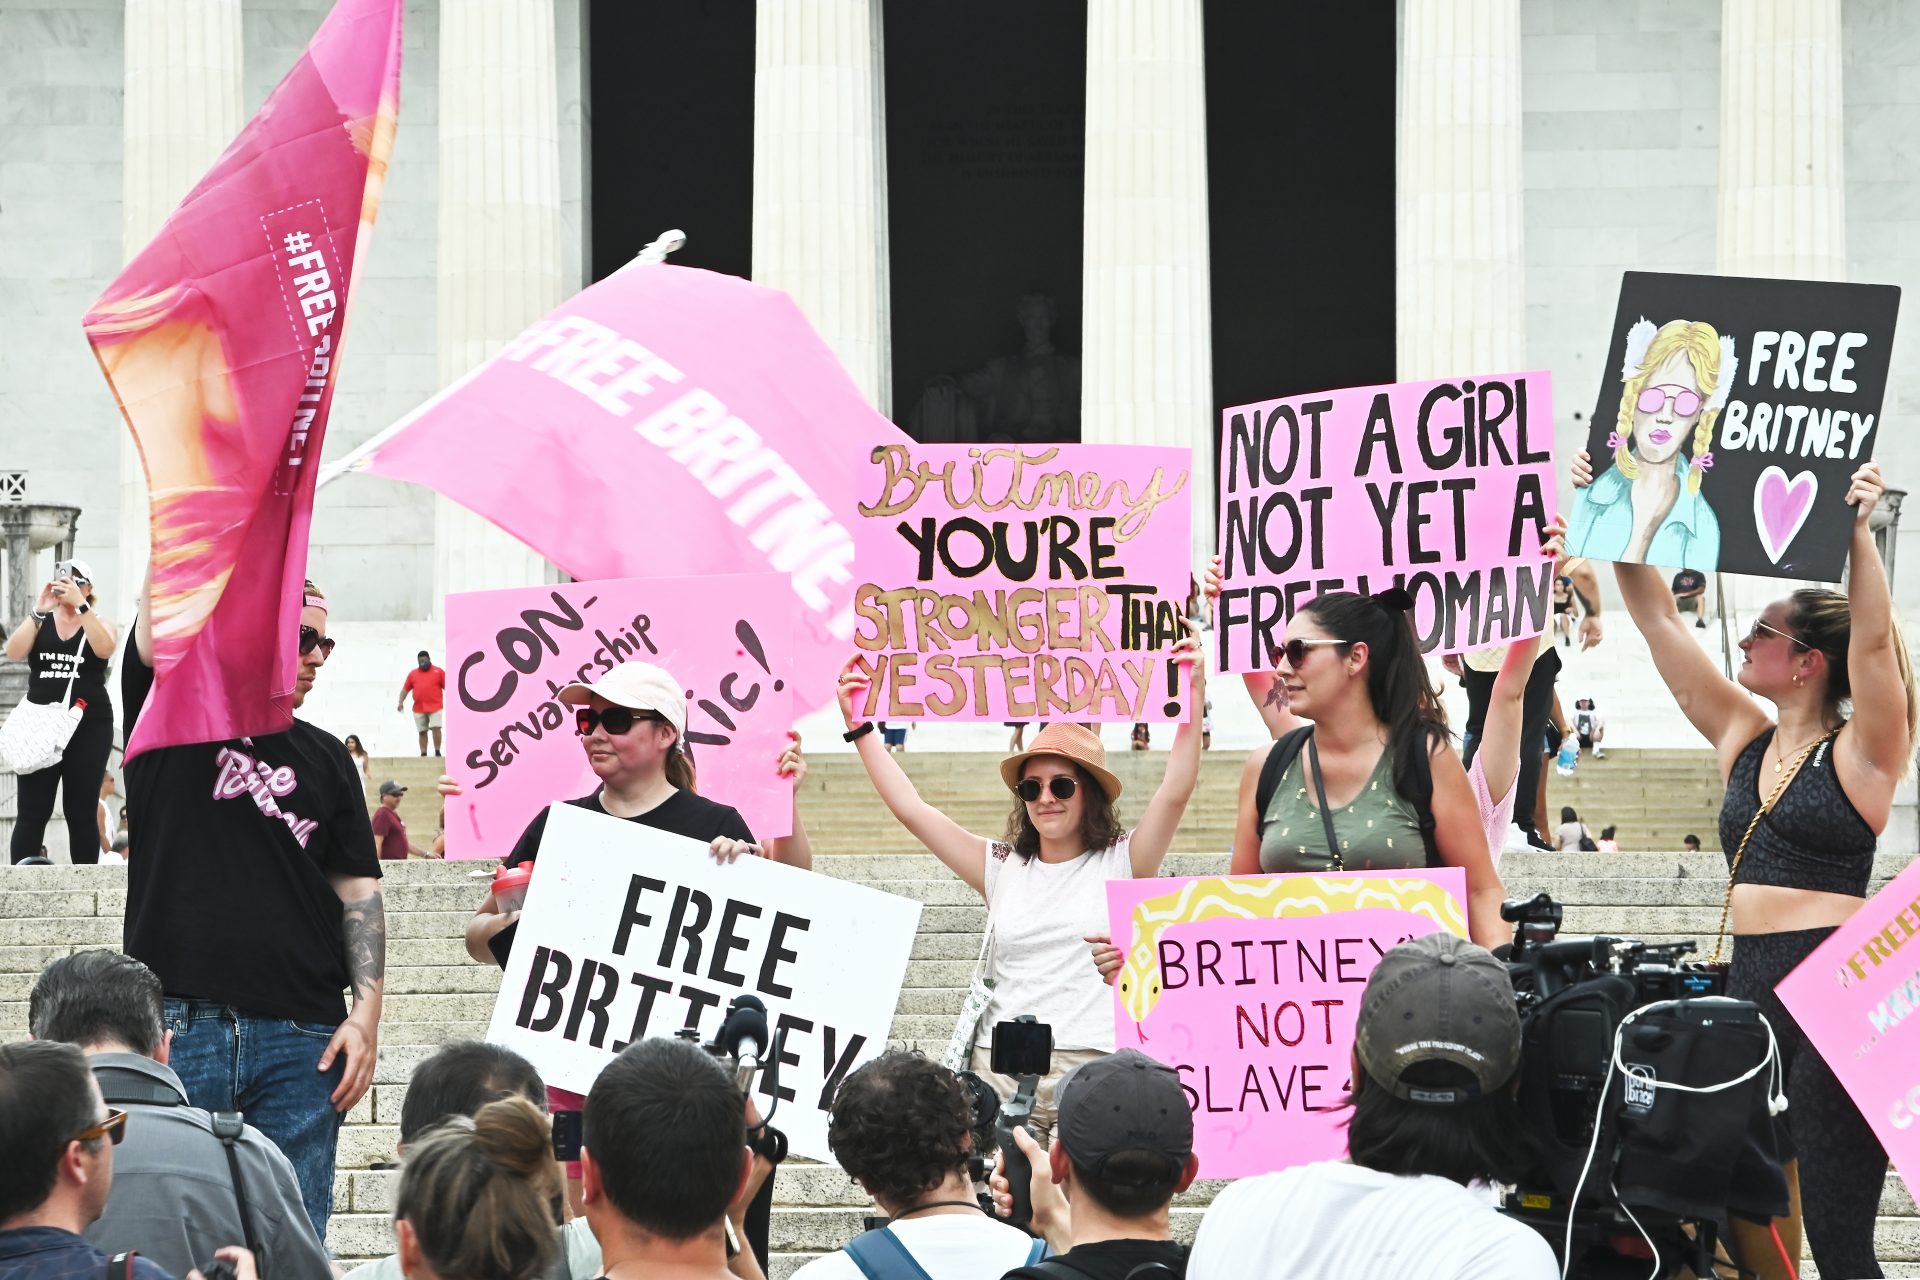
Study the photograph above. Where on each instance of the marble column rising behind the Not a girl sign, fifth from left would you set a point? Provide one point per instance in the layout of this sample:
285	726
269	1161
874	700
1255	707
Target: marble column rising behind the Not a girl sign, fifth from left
1462	291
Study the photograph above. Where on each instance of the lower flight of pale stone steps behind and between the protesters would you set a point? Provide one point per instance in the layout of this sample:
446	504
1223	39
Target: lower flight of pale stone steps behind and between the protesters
437	993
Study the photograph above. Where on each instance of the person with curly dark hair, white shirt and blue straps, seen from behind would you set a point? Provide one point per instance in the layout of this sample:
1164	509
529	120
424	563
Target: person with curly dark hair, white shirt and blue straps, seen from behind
903	1129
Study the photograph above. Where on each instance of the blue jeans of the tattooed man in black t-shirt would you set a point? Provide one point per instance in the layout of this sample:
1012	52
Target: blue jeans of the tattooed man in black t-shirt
268	1070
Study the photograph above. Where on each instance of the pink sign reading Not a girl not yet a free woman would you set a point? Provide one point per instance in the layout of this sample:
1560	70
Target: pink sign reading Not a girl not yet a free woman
1441	488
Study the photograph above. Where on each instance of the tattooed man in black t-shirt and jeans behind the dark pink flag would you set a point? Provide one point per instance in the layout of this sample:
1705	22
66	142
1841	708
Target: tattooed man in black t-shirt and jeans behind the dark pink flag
256	899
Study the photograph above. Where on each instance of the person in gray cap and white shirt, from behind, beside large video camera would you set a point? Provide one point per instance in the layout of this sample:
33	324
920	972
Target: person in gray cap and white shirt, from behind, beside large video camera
1437	1058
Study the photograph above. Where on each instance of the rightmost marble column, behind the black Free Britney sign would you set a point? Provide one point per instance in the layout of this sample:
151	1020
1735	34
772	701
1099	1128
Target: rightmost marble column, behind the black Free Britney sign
1783	204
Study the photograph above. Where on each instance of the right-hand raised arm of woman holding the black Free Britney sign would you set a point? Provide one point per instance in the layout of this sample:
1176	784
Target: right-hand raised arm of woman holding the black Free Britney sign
1877	742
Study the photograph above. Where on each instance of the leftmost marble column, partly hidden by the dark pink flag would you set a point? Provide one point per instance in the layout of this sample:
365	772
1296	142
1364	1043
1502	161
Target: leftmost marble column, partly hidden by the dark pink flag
181	110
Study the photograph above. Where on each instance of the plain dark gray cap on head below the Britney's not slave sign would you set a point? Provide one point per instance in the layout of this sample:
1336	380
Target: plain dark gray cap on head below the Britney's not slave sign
1124	1102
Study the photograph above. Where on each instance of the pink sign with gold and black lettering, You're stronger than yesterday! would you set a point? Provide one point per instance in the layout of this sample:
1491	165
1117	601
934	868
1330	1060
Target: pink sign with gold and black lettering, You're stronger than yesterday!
1022	582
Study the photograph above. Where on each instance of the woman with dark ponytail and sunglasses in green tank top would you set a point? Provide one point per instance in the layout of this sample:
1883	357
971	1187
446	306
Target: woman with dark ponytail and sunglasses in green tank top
1374	782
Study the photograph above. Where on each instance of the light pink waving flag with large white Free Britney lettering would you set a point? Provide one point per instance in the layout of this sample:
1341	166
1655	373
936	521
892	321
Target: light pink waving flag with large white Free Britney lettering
665	423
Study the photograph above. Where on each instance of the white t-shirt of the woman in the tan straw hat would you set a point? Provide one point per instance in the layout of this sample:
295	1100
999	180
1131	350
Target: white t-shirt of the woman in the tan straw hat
1042	962
